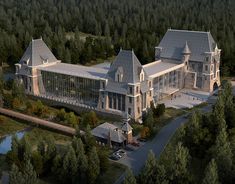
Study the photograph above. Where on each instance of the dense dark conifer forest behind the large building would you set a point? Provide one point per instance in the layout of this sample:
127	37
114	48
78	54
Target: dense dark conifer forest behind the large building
137	24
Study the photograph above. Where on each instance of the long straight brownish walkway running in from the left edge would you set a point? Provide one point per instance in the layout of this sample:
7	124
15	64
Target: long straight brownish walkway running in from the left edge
56	126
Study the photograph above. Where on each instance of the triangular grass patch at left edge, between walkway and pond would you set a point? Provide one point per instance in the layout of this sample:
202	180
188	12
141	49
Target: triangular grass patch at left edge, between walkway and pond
9	126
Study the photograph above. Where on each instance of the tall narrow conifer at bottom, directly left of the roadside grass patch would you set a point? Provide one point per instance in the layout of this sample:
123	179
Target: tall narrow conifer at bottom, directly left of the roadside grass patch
93	165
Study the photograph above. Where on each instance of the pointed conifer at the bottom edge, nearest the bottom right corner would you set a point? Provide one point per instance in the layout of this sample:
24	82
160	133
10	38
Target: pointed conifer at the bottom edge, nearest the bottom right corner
211	174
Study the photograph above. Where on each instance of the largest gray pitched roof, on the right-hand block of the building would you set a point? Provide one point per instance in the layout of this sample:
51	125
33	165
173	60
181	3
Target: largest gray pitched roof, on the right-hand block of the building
173	44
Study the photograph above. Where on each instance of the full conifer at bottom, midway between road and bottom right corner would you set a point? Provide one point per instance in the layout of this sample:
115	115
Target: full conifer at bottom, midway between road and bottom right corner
180	173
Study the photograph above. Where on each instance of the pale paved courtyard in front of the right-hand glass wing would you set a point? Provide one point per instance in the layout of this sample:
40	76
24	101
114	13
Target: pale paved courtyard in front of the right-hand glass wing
186	99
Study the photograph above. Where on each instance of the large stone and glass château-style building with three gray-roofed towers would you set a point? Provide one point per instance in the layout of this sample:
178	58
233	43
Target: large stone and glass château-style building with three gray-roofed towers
183	59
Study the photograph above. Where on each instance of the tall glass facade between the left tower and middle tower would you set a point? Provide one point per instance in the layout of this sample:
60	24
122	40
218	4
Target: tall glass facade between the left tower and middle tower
81	90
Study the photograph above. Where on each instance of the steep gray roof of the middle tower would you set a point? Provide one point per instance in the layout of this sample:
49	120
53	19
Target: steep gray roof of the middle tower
130	64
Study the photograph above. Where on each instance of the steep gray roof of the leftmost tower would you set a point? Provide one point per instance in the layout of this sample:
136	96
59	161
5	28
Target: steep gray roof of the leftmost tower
37	53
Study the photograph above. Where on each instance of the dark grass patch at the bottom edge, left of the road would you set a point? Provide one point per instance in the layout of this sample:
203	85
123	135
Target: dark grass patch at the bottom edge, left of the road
112	174
